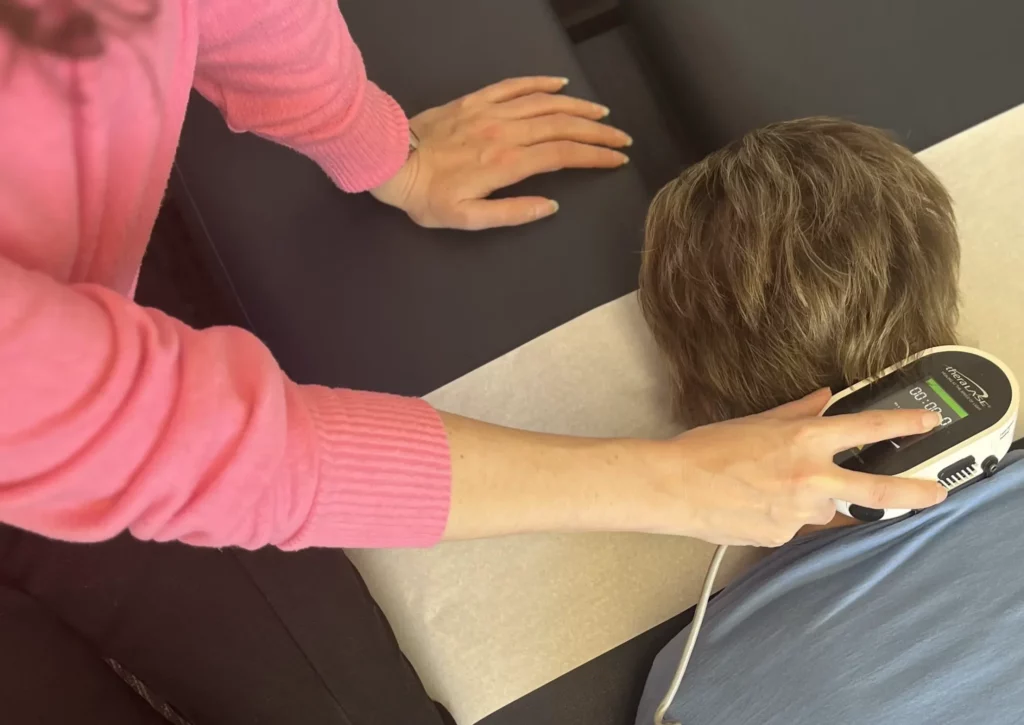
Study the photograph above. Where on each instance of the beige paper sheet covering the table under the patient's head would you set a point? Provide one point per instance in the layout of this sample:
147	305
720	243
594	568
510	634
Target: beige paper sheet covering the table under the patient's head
486	623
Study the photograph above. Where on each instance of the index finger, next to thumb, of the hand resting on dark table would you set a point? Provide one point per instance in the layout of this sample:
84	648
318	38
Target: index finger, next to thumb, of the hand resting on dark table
548	157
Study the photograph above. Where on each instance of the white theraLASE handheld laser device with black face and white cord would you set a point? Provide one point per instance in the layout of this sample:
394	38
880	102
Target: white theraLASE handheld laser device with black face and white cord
975	395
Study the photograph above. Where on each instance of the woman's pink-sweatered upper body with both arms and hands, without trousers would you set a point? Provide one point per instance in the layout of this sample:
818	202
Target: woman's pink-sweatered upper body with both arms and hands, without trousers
115	417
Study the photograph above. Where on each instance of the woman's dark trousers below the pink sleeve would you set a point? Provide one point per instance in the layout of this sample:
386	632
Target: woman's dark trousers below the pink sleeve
222	637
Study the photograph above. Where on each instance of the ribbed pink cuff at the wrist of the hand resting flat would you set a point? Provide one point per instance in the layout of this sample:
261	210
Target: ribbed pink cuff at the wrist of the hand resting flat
372	148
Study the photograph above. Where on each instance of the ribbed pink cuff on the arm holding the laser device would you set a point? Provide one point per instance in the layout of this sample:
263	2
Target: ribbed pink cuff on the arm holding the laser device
385	473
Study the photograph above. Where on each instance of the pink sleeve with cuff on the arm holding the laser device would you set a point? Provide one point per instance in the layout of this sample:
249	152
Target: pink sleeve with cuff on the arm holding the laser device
119	417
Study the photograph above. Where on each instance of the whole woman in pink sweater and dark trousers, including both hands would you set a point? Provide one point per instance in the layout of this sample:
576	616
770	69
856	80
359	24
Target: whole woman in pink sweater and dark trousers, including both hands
114	417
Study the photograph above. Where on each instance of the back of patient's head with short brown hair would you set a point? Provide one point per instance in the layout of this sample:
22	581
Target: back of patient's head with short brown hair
807	254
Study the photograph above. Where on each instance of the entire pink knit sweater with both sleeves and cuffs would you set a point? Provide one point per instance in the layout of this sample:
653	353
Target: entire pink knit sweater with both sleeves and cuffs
113	416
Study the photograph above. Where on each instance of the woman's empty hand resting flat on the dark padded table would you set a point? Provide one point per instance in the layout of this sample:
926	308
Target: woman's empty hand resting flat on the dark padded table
491	140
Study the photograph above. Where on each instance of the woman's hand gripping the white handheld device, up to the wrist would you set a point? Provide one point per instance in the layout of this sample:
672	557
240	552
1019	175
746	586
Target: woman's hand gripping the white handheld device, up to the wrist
758	481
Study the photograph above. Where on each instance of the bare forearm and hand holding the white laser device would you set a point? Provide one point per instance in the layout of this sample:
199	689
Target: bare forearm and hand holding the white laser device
755	481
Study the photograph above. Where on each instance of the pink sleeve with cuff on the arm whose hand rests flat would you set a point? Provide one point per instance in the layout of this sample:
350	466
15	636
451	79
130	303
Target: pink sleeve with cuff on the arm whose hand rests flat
289	71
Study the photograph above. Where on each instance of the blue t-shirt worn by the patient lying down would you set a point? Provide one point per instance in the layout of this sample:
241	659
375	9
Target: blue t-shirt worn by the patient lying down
920	620
